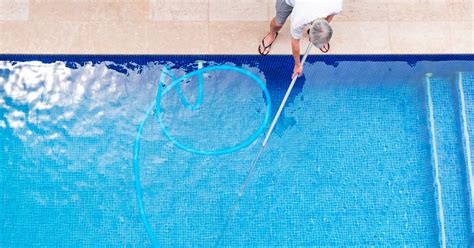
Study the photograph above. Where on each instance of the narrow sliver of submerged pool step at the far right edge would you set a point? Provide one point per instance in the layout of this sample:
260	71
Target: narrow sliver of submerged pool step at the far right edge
465	93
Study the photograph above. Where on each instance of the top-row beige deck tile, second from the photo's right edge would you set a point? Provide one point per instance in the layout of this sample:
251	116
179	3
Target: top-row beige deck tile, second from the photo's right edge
417	10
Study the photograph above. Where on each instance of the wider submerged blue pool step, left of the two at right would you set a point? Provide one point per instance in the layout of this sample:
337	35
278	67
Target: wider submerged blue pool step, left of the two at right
447	160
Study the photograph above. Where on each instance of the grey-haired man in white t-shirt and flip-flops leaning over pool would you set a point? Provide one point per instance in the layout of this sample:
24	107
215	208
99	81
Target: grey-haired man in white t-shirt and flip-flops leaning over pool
314	13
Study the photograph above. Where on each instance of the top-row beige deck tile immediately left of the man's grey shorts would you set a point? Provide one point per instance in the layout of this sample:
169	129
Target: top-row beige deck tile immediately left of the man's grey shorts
238	10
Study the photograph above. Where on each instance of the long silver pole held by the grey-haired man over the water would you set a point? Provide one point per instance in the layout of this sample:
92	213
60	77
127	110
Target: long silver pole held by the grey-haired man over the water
272	126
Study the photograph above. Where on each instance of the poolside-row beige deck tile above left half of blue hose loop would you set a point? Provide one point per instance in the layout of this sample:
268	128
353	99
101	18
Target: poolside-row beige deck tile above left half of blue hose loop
178	37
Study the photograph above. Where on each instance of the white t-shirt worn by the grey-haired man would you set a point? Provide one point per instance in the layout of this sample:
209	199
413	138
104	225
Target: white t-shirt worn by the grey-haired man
306	11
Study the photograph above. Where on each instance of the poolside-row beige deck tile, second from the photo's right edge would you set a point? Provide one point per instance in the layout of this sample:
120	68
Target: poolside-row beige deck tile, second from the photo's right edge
419	37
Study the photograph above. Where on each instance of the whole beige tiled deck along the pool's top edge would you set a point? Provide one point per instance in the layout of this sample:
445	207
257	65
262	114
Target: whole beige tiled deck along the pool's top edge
226	27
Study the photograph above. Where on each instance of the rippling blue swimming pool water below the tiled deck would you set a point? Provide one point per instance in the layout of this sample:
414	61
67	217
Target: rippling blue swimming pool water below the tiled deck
370	150
